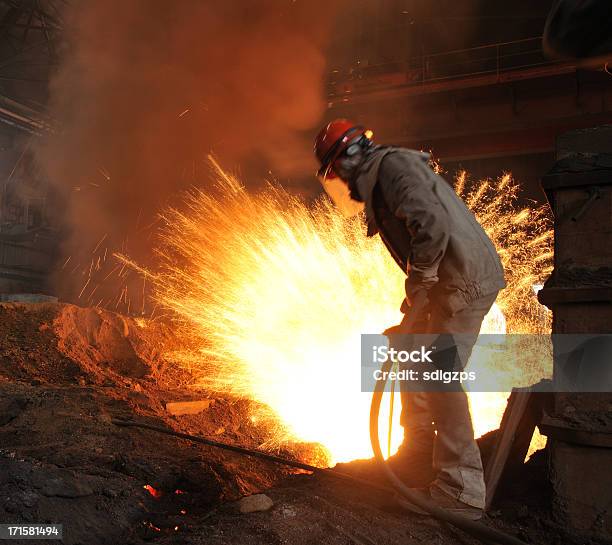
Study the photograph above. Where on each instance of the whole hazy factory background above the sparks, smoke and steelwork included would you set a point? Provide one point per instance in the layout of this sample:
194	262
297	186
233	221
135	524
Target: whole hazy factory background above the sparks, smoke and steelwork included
109	109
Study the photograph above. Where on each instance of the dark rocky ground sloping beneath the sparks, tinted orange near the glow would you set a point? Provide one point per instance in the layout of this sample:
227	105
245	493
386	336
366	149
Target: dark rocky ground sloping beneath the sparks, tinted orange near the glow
66	372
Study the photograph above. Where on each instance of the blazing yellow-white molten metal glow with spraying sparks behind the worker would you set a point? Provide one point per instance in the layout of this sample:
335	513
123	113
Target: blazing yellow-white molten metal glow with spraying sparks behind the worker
274	295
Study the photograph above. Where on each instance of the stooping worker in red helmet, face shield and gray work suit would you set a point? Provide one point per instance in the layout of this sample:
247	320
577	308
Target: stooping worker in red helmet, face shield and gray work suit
453	277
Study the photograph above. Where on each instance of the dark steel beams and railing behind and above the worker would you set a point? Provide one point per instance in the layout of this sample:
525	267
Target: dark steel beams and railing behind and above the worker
467	81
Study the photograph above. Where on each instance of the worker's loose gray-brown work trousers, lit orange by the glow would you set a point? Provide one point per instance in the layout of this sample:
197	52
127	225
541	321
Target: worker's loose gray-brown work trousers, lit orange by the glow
456	457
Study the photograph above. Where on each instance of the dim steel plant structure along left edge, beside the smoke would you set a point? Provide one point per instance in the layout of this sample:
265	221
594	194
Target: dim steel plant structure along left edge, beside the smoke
29	42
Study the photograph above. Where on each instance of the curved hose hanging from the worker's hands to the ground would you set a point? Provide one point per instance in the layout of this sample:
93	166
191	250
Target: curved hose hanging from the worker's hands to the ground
480	531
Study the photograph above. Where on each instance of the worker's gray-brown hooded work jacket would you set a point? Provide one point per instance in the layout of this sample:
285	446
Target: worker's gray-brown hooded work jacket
429	231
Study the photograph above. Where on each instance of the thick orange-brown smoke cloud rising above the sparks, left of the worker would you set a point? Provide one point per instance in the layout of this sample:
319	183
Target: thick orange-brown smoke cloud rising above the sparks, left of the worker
147	88
